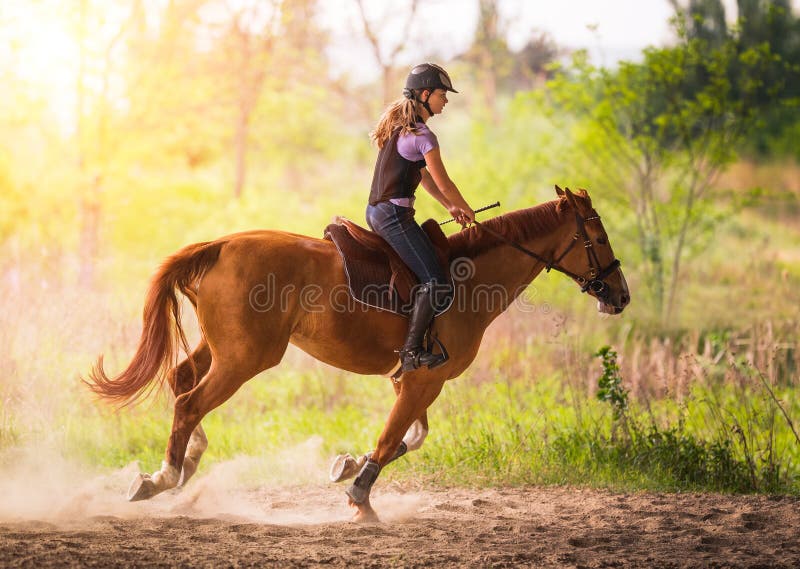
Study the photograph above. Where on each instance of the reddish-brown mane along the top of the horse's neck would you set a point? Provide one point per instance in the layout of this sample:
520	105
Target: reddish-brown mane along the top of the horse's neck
521	225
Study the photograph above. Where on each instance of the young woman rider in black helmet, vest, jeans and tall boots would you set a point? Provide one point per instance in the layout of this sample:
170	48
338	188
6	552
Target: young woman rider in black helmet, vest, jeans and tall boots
409	154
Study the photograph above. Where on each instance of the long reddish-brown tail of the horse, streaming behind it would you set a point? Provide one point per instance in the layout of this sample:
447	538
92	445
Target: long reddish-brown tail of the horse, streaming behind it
162	331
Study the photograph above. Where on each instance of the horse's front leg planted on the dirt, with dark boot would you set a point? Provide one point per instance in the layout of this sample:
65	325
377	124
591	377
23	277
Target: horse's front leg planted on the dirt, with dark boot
414	398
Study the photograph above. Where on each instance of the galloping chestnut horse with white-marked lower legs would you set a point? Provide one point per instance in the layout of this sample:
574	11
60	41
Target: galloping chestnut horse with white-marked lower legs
255	292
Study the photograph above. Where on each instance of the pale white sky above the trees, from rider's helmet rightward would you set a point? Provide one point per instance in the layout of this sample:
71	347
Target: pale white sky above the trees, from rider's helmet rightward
609	29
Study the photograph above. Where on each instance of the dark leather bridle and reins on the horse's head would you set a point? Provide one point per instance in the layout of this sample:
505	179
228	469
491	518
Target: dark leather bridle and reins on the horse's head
594	281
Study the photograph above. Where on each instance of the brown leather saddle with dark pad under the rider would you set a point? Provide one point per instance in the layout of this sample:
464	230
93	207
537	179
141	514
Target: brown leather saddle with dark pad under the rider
375	273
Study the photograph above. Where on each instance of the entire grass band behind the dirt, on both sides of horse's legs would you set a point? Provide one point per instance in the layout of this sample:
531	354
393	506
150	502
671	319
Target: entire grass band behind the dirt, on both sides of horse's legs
530	429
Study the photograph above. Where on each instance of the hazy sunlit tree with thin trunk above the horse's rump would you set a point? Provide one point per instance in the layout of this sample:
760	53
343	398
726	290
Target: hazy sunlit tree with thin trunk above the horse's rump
264	58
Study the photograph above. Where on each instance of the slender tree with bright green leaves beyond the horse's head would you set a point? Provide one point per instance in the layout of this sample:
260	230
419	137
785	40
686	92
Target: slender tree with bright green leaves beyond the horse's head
655	135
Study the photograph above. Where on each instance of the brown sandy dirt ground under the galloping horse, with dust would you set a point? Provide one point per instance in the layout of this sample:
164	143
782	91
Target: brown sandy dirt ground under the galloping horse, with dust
309	525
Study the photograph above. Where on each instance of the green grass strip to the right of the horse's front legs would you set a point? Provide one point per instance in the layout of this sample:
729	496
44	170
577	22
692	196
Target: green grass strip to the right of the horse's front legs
481	438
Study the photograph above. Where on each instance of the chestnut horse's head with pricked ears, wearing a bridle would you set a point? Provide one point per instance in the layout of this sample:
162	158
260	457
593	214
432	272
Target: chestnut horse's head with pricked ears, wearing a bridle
589	259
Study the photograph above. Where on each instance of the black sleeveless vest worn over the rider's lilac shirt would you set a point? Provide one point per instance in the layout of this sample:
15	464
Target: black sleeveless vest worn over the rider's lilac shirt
394	176
